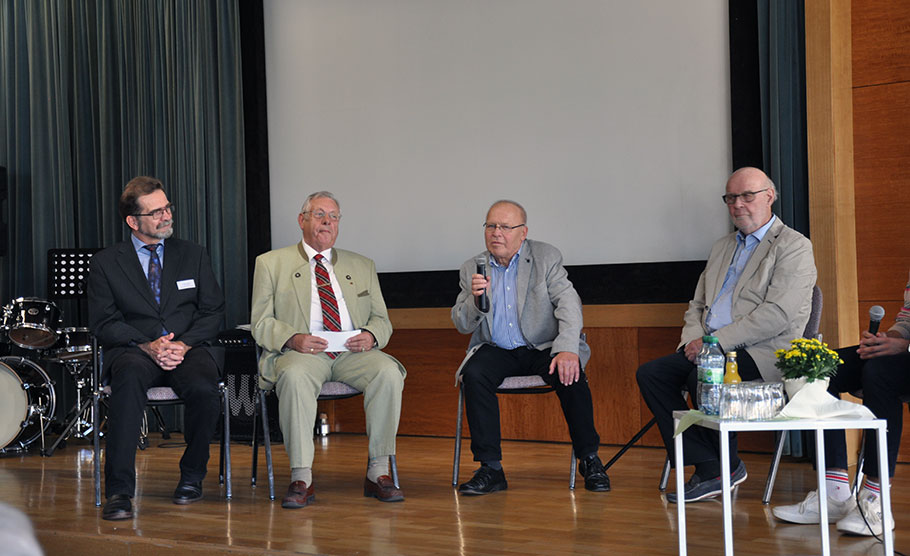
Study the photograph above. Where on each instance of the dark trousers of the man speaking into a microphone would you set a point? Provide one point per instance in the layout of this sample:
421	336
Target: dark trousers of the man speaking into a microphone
486	370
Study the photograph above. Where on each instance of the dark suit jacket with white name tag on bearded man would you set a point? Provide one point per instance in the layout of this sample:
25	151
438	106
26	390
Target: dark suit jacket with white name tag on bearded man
122	309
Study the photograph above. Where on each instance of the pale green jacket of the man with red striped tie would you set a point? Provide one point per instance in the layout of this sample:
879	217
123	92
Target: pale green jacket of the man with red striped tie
281	299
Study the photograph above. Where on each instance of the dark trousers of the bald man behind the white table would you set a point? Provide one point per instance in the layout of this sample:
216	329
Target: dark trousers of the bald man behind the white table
661	383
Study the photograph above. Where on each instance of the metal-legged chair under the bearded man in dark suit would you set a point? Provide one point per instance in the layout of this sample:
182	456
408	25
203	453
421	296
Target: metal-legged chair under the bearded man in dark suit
157	396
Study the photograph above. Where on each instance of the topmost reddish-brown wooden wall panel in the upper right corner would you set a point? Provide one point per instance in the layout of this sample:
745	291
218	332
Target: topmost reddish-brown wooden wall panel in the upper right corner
881	42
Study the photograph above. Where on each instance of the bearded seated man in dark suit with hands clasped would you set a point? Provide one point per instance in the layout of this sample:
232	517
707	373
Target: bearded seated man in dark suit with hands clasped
155	307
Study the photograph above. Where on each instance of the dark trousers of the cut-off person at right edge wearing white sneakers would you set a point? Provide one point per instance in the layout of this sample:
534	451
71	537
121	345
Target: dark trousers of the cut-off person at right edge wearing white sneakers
883	381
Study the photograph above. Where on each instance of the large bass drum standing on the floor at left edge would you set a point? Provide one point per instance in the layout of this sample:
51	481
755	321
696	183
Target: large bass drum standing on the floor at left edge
26	393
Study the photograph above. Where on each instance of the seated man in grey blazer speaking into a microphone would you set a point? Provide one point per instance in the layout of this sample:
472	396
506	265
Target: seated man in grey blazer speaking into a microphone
533	327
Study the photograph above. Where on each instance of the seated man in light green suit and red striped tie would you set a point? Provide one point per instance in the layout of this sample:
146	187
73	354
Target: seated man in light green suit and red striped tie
301	295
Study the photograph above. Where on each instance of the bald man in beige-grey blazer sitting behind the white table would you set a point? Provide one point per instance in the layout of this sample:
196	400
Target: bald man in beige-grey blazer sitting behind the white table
754	295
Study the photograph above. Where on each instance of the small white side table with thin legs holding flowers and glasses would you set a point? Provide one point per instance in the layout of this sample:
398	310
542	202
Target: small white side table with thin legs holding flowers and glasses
725	427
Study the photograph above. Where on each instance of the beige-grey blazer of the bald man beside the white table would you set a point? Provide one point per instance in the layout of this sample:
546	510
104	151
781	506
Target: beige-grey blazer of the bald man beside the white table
771	300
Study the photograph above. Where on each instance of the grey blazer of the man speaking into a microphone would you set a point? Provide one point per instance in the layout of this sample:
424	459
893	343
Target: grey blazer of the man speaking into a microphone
549	309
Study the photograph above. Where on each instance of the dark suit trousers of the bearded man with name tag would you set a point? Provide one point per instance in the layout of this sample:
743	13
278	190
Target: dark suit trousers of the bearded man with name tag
131	375
